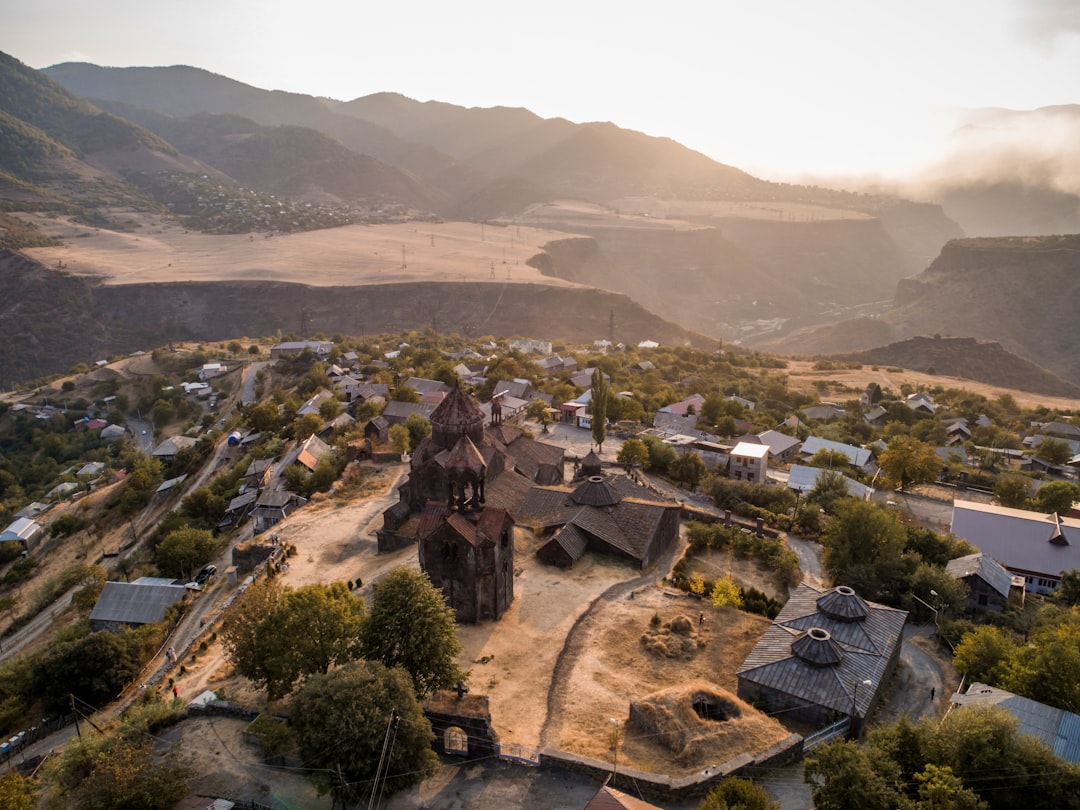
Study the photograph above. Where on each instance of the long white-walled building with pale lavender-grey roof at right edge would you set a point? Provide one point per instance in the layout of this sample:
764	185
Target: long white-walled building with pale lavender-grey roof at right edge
1031	545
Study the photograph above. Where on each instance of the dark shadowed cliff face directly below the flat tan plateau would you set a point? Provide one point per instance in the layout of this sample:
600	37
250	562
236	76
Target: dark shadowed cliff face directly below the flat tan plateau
55	321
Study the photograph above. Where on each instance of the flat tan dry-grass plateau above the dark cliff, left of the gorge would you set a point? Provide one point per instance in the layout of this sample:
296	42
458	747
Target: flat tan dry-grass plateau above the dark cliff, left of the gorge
159	251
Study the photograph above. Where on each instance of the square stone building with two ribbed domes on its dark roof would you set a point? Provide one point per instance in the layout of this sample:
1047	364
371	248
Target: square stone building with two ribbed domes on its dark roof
828	653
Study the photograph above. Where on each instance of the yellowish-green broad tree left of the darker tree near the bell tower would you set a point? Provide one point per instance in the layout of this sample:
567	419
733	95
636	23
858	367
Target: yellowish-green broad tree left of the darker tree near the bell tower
277	637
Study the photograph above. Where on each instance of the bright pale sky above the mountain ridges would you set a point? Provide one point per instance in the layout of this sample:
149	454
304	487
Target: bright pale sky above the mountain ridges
776	88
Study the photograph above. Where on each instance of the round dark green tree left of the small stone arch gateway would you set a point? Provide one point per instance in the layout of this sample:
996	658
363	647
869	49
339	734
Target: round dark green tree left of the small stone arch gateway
344	718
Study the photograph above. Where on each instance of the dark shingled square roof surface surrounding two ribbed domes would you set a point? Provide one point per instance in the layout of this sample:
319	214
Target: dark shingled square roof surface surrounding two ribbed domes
866	649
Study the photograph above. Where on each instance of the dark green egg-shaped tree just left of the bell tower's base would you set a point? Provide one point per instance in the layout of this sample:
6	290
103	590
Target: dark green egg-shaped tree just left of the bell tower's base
412	627
